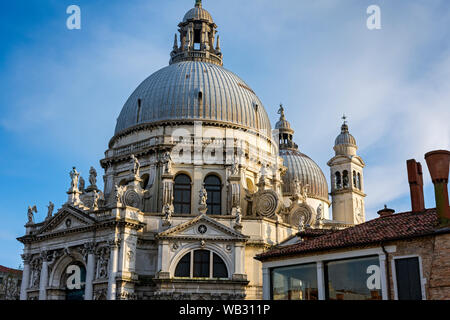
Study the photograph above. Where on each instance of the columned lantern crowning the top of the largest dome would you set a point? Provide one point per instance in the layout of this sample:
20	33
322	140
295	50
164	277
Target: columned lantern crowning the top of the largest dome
197	38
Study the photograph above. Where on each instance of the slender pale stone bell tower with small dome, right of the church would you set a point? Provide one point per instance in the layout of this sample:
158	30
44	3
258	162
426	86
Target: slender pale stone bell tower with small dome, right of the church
347	179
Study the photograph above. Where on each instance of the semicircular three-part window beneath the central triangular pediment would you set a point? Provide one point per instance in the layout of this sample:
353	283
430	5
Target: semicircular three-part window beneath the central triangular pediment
205	264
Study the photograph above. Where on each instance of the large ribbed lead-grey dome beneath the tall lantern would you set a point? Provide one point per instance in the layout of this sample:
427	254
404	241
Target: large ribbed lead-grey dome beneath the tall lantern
194	90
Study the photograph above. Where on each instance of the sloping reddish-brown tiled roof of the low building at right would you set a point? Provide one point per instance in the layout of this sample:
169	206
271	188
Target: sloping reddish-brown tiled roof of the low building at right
395	227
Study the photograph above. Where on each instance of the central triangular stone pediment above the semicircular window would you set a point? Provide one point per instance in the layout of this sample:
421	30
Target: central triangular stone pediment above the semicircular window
202	227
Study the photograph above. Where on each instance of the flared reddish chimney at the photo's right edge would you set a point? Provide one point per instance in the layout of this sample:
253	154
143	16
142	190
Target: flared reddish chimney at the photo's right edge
438	164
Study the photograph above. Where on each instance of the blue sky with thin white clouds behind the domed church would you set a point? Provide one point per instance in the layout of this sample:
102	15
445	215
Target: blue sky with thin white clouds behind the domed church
62	90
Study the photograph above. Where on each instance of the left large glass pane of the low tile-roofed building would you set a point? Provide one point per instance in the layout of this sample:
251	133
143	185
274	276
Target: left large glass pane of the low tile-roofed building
295	282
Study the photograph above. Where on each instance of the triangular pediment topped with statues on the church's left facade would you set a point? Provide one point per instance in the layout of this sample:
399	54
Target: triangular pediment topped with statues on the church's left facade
67	218
